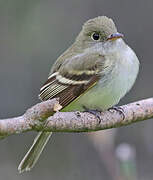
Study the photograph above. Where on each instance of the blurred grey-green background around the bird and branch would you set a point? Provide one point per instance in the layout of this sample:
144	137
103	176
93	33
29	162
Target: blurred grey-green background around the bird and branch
32	35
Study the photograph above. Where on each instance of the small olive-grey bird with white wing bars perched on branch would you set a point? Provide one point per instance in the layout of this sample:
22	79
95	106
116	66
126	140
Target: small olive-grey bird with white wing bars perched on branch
94	73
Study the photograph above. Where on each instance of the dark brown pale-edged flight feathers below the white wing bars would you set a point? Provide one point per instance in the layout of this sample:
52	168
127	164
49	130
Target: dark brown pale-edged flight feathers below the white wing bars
66	92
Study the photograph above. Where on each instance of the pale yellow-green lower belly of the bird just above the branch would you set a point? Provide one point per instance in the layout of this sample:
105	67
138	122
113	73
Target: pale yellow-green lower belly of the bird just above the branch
98	97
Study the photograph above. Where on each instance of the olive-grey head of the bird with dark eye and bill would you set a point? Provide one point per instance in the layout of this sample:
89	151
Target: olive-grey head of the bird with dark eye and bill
98	30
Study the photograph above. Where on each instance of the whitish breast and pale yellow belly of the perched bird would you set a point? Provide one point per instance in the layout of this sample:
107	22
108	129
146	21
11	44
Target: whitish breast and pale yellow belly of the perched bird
110	89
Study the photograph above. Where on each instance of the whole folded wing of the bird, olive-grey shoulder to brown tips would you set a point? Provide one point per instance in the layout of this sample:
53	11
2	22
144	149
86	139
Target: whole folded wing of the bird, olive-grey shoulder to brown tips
71	76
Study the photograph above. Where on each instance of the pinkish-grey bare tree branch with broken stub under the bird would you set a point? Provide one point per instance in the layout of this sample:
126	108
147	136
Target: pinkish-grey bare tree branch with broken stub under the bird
41	117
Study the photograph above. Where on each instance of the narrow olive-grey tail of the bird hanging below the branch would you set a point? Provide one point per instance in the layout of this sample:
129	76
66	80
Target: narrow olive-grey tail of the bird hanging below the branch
34	152
